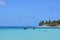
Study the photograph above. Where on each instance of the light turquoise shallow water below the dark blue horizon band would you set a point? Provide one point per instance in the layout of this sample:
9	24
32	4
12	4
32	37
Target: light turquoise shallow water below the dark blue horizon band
29	34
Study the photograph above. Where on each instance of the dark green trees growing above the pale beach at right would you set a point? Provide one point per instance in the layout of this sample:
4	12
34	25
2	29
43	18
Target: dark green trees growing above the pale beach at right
49	23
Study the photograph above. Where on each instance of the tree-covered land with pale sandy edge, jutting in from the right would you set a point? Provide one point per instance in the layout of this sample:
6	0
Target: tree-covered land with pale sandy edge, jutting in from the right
54	23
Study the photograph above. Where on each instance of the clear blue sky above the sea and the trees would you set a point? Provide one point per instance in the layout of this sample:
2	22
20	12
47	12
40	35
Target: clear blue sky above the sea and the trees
28	12
